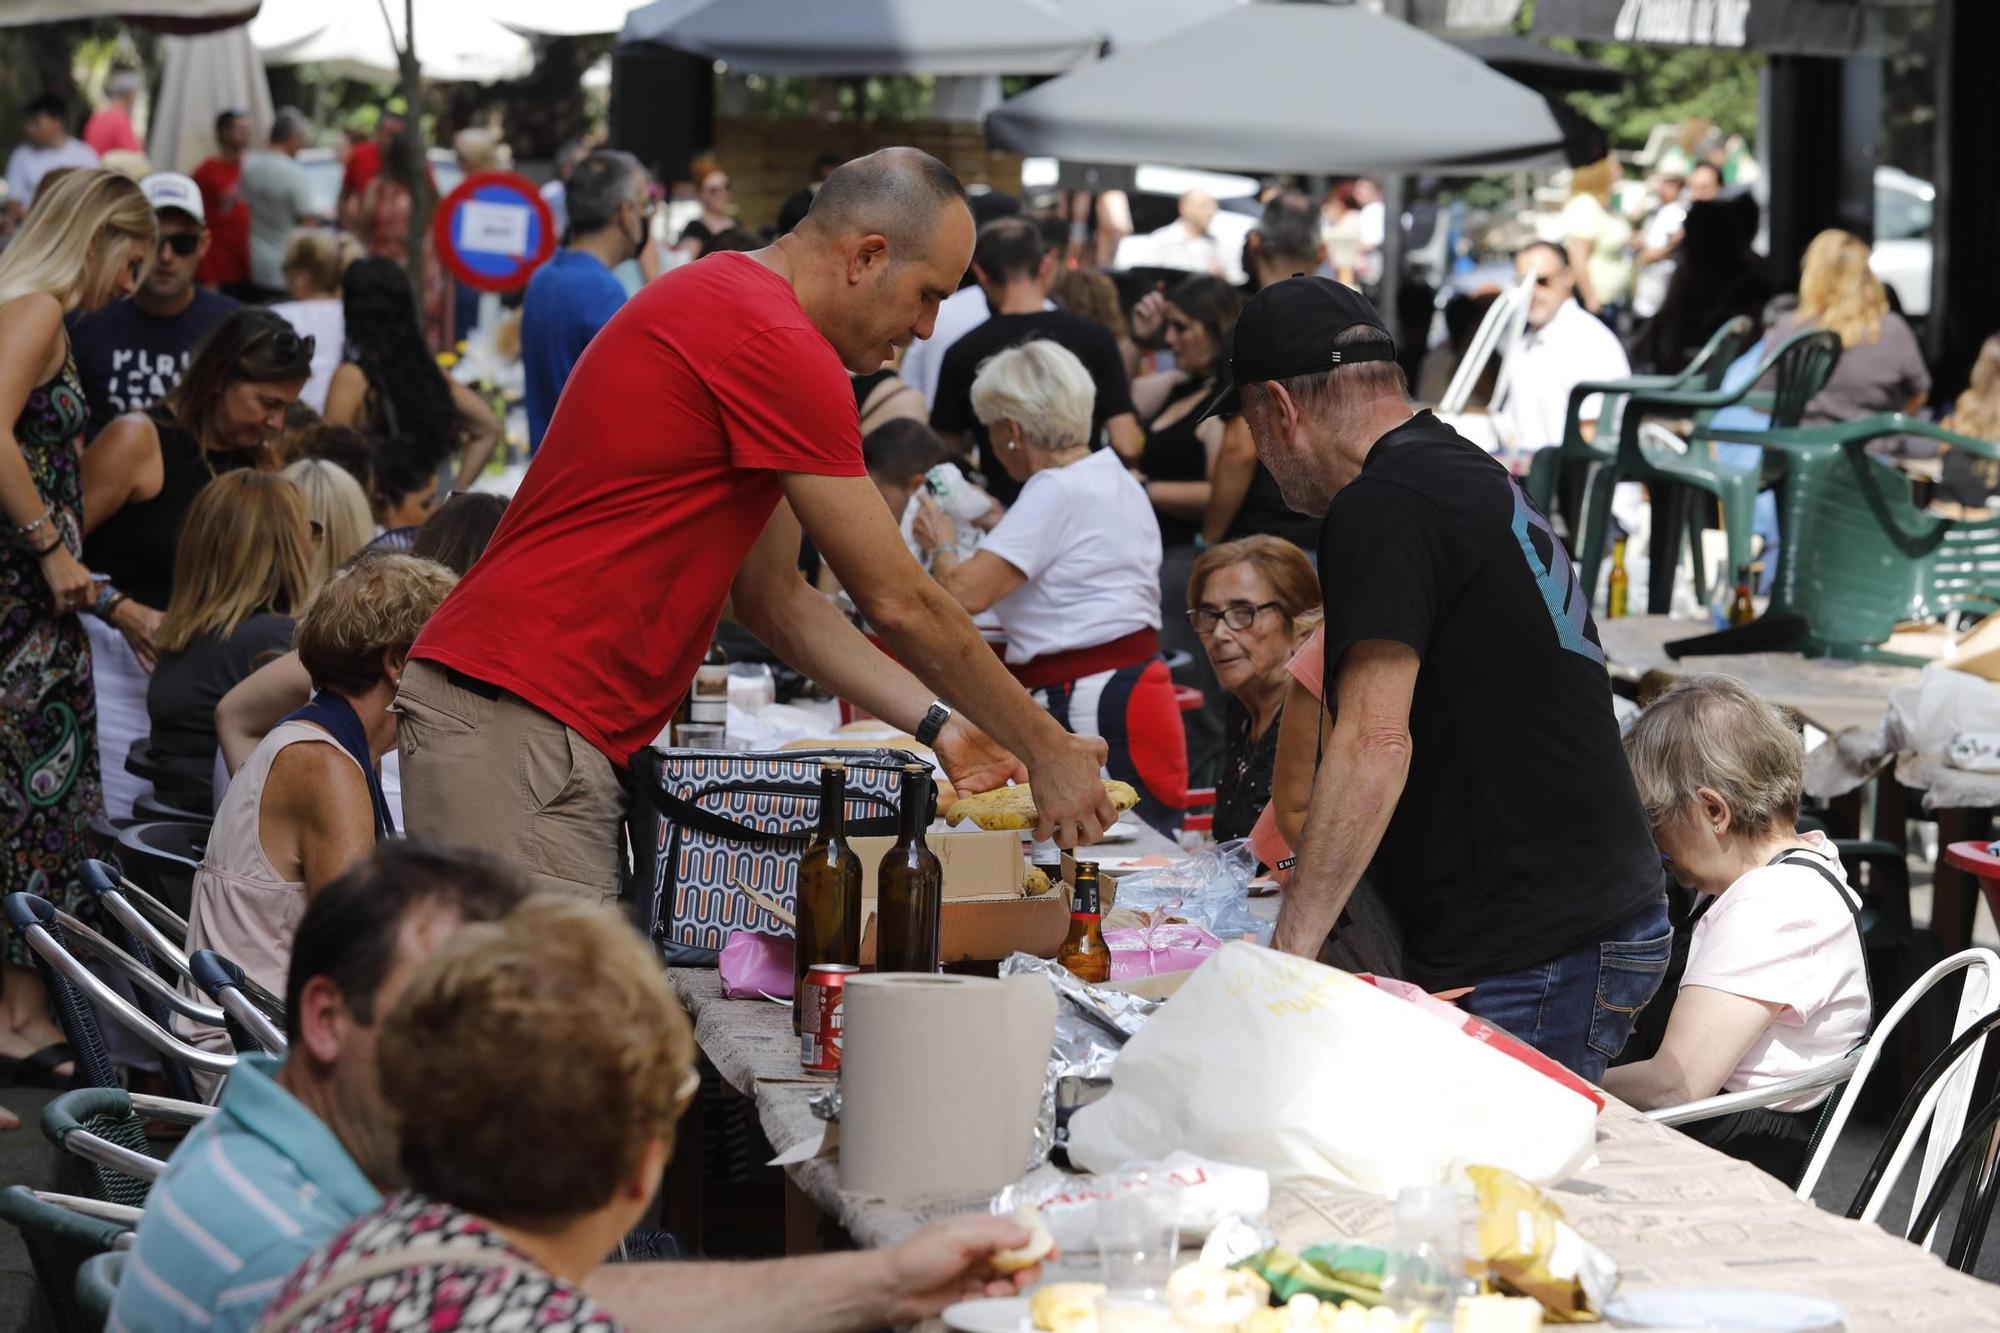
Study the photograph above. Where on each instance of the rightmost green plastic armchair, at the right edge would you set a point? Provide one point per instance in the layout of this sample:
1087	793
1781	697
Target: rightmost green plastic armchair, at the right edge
1857	553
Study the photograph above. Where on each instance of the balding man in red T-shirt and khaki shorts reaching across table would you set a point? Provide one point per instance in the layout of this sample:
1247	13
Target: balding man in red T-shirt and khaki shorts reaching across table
707	421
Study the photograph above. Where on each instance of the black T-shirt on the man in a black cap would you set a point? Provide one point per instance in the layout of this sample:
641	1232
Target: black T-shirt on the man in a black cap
1519	834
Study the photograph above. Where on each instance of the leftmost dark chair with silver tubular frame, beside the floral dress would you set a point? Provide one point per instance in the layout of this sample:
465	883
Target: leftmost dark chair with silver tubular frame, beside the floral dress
81	996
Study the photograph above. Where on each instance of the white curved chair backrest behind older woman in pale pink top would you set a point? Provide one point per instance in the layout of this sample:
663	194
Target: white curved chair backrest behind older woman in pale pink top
1943	1106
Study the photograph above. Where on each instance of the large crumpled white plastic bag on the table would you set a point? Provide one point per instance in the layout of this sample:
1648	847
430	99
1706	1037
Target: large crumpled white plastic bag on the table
1273	1062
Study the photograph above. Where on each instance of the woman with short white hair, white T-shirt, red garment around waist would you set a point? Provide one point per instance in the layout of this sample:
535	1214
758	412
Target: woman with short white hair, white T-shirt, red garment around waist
1073	573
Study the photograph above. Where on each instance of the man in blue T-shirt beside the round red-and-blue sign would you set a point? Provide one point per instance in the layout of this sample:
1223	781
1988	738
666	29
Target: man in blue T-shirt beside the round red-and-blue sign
575	295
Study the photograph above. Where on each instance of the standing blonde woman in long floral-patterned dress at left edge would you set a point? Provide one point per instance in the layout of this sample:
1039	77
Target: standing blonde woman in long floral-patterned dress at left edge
87	243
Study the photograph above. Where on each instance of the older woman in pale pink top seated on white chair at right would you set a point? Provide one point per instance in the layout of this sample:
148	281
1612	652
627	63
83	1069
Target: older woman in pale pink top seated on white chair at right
1777	978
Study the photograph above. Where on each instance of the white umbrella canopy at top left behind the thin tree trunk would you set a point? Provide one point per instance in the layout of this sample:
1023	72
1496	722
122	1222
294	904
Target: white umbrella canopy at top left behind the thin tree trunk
457	41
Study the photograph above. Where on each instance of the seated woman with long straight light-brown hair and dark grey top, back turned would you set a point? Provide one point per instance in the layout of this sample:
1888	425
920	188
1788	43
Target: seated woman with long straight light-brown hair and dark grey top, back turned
241	579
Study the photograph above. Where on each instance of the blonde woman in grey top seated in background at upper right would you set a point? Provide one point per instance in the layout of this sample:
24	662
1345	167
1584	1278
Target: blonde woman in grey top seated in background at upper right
1881	367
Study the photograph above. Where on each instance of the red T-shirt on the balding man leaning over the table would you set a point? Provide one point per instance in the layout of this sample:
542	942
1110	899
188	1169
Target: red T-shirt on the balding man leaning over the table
603	587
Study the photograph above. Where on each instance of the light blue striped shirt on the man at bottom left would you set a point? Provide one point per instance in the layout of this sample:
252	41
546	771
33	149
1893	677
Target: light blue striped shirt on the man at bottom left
245	1200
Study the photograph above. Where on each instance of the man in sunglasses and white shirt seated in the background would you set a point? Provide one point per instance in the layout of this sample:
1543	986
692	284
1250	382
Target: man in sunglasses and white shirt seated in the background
1561	349
